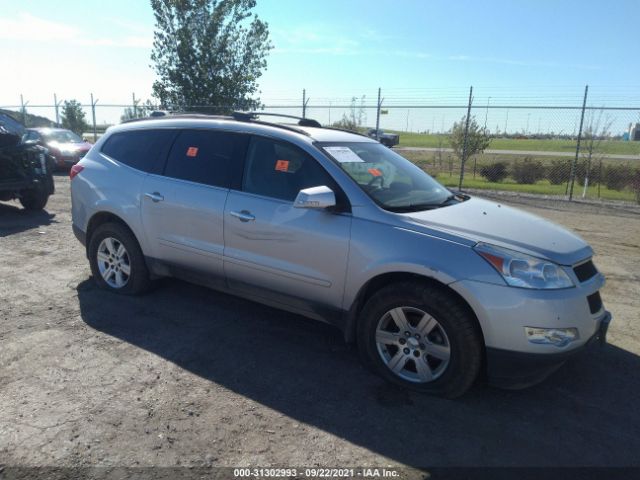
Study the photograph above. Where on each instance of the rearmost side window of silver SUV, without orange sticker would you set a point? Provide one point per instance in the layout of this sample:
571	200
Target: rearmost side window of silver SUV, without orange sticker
139	149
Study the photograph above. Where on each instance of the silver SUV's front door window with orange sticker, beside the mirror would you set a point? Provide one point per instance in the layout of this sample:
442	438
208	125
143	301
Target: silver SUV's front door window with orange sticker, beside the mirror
278	170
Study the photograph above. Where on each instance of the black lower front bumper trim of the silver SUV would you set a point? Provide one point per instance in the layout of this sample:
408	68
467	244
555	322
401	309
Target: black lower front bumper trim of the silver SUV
514	370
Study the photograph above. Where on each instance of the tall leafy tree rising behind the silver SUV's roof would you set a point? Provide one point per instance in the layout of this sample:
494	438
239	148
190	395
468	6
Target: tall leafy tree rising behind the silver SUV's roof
208	54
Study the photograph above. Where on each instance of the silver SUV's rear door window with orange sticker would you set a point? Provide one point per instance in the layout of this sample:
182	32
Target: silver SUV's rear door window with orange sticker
203	156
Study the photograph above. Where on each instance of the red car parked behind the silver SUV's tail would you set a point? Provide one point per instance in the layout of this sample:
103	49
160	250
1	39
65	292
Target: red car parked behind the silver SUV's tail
64	147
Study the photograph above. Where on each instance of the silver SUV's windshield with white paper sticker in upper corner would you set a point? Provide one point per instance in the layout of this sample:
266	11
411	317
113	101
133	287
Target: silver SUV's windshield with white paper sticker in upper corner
392	181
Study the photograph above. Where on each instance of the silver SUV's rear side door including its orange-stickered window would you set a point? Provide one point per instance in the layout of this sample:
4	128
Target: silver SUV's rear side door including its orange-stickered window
183	207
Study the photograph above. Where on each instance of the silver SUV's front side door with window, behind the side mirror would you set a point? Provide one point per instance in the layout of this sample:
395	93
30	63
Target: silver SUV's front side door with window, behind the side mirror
282	254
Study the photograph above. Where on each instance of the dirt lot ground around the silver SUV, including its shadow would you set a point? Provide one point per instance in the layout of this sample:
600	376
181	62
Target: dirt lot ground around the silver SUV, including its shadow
188	376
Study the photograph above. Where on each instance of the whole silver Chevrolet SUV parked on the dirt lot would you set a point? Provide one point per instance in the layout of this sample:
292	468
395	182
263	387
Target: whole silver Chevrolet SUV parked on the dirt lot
435	287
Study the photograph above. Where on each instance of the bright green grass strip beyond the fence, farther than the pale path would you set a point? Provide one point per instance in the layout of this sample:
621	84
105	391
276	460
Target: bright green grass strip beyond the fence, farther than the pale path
408	139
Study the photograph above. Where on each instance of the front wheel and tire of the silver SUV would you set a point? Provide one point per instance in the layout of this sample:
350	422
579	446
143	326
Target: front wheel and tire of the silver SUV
451	351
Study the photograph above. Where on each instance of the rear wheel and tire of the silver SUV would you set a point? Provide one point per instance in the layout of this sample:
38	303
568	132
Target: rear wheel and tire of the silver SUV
119	271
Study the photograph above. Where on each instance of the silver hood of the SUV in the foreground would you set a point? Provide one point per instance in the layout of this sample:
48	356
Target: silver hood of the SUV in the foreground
480	220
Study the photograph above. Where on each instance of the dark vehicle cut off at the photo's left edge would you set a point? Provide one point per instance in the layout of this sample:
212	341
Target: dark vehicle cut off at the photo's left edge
24	174
